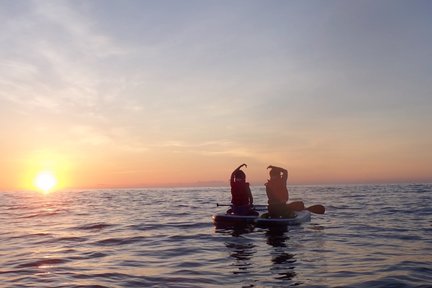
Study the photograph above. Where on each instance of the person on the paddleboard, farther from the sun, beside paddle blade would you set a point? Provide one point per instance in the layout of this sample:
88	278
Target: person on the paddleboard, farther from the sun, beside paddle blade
277	193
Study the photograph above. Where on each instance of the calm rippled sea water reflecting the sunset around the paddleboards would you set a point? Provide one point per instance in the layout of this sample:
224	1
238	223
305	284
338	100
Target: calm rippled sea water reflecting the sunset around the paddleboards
371	236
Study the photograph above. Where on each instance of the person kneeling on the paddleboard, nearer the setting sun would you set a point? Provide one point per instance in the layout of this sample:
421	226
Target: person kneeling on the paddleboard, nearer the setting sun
241	195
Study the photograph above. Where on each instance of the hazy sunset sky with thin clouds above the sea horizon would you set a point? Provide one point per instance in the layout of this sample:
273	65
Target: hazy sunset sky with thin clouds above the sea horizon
138	93
